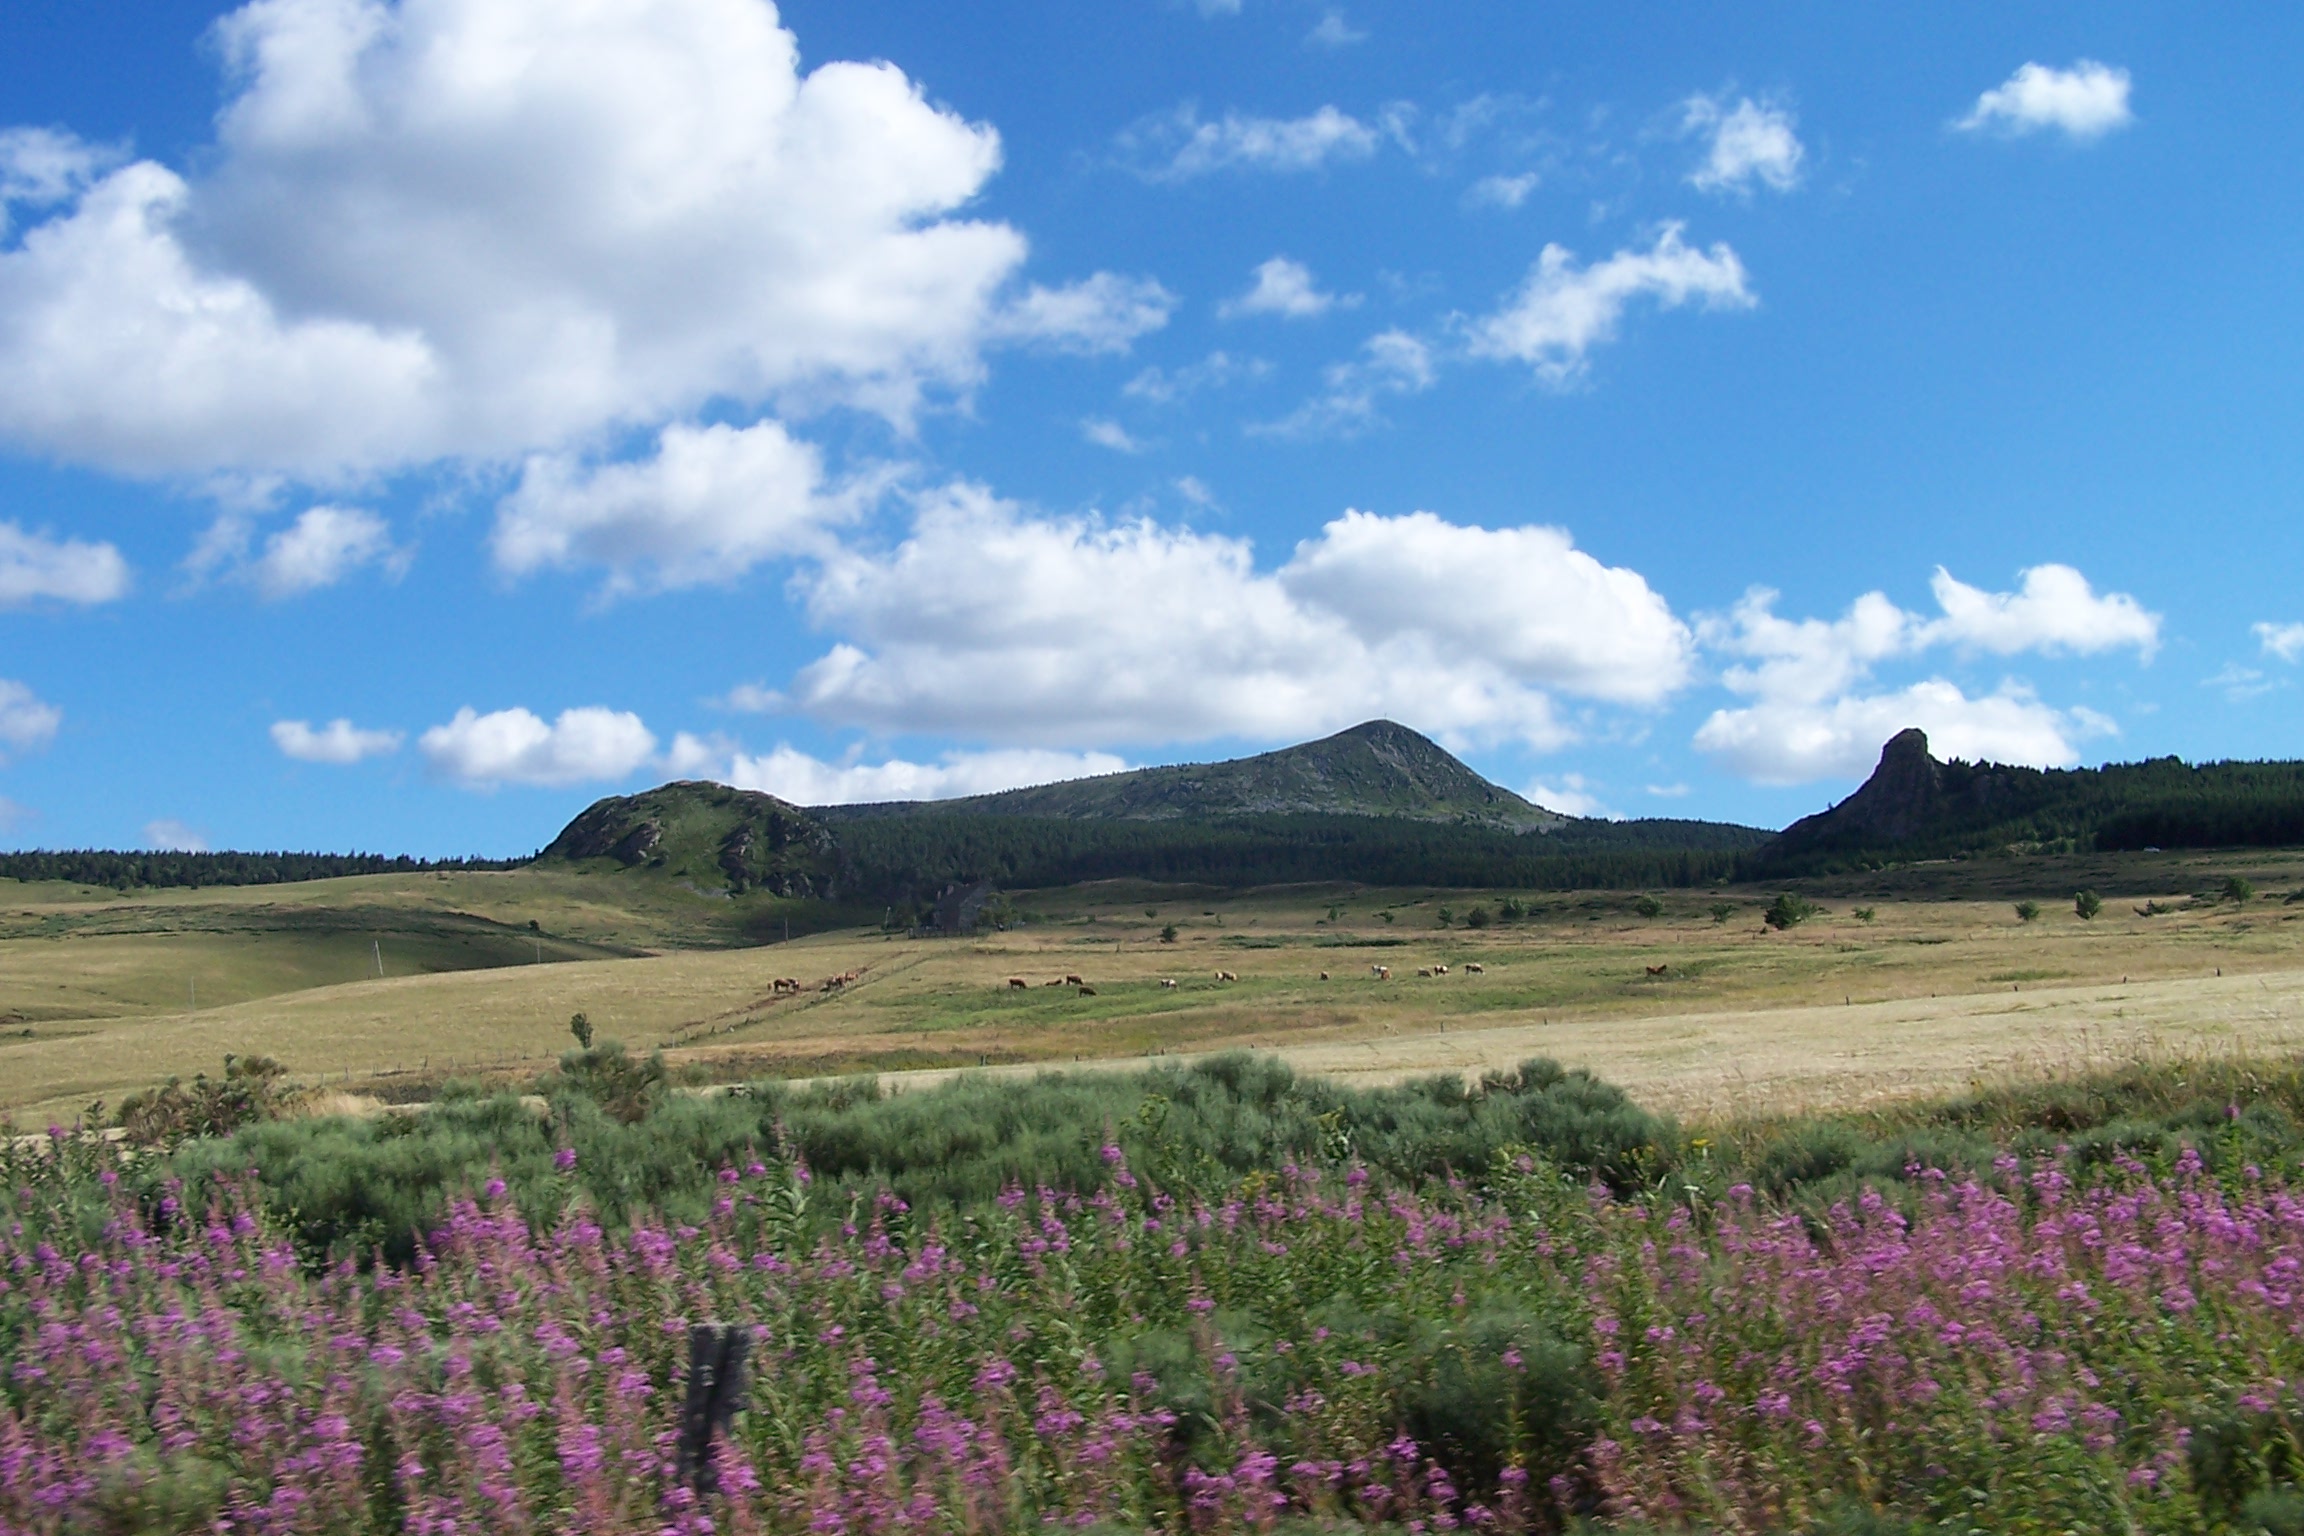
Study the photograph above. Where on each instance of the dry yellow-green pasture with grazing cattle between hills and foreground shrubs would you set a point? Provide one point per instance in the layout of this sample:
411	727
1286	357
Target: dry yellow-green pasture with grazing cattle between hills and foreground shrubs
1939	987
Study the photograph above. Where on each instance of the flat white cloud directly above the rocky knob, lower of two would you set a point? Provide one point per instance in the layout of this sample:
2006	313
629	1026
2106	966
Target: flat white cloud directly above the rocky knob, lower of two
1794	740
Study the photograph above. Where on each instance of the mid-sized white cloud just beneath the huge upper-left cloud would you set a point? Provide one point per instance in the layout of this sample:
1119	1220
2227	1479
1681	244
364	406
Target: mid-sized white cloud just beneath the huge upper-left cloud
706	508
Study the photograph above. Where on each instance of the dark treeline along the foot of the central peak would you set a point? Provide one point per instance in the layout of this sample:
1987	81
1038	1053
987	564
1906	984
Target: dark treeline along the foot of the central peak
900	858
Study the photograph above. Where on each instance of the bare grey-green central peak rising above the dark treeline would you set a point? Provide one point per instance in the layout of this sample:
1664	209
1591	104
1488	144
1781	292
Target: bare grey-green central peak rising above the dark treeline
1367	770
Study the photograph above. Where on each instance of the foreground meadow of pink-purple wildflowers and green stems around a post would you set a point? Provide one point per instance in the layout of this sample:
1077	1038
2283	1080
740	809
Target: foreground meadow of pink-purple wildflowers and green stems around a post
2052	1341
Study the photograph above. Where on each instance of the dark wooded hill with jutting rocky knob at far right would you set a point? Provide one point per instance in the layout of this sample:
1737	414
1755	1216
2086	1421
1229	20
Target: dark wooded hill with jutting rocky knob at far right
1916	807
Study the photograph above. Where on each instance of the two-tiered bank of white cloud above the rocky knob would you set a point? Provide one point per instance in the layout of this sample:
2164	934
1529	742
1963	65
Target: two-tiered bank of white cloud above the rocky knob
1814	713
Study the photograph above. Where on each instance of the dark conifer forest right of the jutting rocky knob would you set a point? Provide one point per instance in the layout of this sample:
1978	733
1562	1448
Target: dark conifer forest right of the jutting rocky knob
2123	807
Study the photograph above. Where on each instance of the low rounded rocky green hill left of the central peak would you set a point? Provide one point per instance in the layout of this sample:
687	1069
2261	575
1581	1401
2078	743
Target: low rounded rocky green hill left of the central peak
706	837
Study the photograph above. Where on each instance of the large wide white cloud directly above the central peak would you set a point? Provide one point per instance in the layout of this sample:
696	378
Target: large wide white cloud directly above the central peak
1073	632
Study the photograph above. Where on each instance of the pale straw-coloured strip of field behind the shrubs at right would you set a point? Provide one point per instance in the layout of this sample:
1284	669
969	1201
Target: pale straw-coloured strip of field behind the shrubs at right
1778	1060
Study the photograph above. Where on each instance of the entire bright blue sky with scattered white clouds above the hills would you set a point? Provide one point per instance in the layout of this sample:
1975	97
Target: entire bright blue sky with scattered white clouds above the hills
423	418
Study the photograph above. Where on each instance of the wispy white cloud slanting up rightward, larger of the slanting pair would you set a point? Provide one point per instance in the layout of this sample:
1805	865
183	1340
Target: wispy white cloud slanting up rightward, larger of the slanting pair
1563	310
